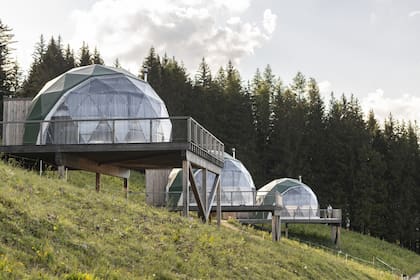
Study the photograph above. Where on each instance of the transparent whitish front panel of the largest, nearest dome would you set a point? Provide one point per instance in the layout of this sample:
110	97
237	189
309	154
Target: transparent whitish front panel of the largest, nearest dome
103	102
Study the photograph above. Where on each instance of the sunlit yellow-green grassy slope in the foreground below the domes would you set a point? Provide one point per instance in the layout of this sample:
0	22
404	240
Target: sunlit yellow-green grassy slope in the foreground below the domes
50	229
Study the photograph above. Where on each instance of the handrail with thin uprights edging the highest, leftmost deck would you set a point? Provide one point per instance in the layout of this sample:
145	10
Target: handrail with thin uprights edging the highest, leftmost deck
205	144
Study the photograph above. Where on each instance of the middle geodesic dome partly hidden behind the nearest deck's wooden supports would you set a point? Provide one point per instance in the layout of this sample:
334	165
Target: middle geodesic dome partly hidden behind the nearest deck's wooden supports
237	185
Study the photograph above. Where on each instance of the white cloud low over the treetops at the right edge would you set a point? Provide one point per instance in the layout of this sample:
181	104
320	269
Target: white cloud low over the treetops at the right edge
405	107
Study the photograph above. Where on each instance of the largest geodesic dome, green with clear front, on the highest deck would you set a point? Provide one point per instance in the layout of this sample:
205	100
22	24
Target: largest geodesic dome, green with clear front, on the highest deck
97	104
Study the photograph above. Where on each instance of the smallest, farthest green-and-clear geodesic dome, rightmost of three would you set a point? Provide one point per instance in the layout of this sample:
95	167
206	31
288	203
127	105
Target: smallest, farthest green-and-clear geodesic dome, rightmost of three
298	200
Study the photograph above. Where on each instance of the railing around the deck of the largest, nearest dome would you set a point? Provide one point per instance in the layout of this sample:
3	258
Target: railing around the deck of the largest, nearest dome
114	131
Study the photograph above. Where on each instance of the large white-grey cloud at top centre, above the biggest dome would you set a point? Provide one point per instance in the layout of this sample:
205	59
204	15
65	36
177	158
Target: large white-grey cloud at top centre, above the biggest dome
187	29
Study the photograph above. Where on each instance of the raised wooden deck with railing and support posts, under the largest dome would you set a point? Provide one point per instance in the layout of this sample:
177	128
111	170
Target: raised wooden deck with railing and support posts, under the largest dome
186	145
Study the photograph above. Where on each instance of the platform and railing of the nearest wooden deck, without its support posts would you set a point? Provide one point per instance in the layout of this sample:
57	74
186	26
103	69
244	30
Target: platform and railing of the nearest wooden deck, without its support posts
190	140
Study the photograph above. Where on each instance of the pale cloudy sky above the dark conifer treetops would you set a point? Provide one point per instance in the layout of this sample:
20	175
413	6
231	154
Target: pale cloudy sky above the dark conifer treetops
369	48
